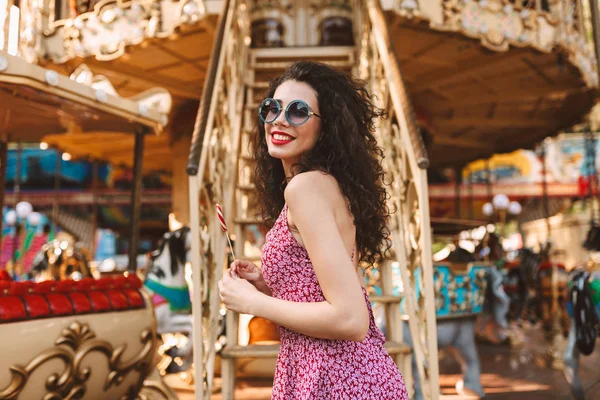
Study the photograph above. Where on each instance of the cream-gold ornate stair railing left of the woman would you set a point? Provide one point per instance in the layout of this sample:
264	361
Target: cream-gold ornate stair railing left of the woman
212	167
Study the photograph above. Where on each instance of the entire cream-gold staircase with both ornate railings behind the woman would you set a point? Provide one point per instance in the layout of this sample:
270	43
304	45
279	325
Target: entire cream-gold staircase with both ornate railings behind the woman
220	169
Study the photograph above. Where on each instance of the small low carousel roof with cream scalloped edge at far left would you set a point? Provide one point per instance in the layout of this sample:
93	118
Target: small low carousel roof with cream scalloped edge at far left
70	112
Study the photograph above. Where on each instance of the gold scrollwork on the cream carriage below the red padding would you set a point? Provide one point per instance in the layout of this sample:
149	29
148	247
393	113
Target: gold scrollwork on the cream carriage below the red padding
73	345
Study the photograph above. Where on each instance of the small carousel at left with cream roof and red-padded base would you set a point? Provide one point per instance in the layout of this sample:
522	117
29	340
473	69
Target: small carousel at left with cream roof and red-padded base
68	336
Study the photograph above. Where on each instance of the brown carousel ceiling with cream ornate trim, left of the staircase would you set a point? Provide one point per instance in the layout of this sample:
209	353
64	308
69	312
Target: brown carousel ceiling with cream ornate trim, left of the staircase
136	46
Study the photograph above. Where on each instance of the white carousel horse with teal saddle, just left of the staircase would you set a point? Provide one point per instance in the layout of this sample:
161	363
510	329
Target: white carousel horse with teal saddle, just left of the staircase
168	287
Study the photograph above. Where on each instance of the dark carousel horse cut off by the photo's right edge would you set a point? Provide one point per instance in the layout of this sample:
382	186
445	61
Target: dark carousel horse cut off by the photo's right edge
584	312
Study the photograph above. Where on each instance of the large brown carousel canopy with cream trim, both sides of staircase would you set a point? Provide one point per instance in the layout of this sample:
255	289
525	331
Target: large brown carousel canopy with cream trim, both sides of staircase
482	79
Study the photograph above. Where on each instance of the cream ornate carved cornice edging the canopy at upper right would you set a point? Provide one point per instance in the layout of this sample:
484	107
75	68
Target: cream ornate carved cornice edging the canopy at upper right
499	24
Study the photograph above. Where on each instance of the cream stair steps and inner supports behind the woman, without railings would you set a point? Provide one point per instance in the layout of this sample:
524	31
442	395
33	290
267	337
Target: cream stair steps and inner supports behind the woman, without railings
265	64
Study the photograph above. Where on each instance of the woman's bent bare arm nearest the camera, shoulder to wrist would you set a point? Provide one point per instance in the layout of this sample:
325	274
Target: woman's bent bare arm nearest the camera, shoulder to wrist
312	198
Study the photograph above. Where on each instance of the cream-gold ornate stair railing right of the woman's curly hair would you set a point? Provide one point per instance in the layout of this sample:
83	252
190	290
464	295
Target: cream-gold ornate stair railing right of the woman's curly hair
405	163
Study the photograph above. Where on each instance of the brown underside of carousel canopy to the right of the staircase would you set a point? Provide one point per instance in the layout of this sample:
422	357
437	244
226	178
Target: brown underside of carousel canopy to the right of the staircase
476	99
